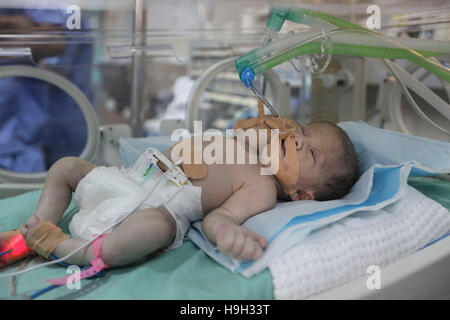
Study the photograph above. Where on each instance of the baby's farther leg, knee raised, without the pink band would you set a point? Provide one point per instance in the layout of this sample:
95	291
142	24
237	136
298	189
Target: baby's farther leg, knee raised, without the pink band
62	179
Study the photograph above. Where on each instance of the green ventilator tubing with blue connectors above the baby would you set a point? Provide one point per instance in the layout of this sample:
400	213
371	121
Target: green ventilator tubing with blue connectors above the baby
345	39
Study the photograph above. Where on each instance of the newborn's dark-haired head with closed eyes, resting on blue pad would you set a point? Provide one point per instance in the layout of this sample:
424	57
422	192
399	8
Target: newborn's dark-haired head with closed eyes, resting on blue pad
327	162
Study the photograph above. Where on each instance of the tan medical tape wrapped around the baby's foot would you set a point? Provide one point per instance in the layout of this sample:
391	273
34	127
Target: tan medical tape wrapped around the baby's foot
45	238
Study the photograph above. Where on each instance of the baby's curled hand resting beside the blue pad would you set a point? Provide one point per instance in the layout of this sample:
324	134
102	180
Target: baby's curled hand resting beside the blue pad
240	243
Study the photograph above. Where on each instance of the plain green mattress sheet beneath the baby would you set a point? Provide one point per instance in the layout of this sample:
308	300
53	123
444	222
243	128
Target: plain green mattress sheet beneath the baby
183	273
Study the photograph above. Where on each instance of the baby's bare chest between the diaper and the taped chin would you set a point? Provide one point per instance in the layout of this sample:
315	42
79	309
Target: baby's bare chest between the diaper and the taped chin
222	180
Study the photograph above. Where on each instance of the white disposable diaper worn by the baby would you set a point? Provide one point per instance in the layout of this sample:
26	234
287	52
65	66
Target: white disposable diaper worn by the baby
106	194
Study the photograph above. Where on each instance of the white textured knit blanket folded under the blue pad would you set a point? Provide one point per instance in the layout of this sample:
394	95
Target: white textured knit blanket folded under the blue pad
343	251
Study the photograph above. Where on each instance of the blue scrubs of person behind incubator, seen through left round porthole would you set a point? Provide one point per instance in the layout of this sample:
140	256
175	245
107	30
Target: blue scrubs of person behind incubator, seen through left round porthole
39	123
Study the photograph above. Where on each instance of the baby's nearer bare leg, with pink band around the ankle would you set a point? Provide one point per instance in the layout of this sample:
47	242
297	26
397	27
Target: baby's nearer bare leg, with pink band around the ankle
141	233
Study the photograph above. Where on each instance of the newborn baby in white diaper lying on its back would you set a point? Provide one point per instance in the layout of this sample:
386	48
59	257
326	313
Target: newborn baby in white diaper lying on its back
228	195
